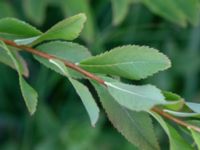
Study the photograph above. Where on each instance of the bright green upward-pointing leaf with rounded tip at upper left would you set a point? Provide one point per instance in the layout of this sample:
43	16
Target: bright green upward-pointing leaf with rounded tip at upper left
67	29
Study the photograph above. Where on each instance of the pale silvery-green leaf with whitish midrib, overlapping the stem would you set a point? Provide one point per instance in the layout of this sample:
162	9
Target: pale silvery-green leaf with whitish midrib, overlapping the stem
137	98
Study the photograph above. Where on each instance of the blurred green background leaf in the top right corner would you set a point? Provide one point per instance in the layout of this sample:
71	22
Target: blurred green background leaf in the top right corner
179	11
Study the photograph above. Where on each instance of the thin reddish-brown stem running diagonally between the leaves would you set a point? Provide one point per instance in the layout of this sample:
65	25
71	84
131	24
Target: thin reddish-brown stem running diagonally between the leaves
93	77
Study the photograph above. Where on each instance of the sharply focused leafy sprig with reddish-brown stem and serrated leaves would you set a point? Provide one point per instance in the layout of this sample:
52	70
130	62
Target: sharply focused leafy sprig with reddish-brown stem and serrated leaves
130	108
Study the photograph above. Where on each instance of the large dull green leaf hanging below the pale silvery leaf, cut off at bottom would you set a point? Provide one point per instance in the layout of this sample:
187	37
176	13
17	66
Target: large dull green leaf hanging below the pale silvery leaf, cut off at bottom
136	127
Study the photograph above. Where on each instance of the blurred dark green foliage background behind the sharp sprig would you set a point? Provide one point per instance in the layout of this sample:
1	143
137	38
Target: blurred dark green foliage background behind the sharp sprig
61	122
